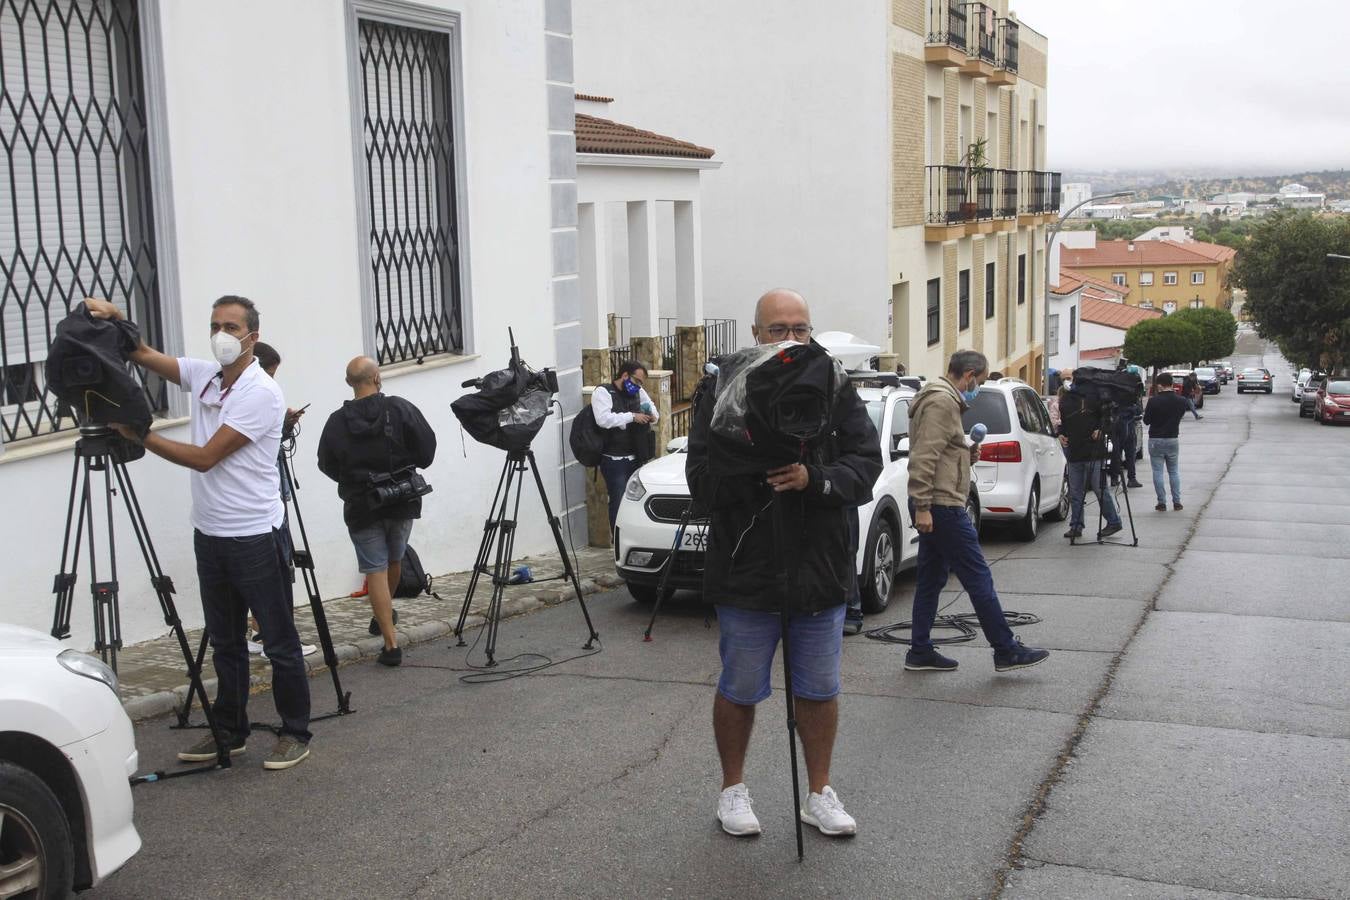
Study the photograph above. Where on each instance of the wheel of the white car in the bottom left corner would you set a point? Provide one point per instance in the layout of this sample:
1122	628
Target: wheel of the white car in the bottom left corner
36	851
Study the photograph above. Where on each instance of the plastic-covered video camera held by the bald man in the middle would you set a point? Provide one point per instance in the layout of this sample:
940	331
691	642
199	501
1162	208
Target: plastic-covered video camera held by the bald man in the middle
773	405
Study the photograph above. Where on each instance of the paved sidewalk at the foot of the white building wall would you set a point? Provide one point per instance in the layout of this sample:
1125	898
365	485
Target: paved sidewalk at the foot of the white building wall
153	677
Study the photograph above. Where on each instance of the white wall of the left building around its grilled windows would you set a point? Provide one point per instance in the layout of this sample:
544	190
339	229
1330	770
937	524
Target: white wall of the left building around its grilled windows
265	206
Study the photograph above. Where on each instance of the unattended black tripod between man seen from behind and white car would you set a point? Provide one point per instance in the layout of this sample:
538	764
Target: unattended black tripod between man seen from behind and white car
500	532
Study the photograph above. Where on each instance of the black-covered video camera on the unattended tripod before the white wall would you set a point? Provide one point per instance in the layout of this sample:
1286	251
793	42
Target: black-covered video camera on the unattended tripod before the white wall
511	404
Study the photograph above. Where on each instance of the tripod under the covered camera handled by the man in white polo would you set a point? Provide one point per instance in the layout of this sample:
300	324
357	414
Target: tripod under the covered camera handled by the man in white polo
99	450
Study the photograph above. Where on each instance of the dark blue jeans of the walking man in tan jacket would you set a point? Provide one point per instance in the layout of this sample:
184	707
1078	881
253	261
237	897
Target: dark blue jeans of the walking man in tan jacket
954	547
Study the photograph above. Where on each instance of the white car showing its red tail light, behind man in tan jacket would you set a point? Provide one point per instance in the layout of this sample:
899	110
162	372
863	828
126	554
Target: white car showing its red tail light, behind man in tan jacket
1023	472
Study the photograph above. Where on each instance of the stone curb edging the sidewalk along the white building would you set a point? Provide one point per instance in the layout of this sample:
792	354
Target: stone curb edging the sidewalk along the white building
368	648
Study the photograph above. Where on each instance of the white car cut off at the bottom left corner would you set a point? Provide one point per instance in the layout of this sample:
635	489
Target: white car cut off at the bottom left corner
67	754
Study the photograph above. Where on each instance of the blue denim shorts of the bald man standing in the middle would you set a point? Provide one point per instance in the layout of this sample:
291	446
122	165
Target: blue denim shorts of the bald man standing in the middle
750	639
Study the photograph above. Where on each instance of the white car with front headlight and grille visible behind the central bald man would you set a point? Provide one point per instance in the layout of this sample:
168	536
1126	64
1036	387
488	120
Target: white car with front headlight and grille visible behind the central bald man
658	496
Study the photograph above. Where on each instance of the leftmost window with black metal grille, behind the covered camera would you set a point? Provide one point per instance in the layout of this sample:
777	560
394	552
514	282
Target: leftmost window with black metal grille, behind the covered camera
78	221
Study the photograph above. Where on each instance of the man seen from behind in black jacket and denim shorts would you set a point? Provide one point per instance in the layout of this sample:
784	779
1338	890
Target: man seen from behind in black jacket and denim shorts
373	437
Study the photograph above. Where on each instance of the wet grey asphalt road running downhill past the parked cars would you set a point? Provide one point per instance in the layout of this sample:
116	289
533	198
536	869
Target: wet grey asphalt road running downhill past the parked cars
1187	739
